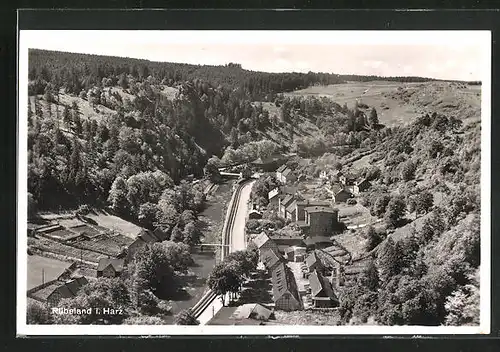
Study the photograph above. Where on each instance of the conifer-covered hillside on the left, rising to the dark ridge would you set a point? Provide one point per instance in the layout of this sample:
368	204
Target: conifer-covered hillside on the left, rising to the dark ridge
95	120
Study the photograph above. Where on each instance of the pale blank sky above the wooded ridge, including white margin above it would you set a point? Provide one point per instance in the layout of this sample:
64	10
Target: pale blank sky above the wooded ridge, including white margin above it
453	55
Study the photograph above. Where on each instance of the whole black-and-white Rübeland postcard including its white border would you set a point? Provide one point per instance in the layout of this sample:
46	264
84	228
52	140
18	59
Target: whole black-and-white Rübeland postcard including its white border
253	182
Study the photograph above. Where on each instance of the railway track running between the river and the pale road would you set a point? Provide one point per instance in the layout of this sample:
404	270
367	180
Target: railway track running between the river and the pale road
210	296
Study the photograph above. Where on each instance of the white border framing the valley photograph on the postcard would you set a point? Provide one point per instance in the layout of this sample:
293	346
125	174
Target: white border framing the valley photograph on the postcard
26	40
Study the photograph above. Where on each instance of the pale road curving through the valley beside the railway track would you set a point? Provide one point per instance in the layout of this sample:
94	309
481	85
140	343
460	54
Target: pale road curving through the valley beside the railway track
237	242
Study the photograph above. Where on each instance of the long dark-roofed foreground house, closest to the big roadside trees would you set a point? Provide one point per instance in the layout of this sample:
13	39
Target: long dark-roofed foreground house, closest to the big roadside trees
285	293
